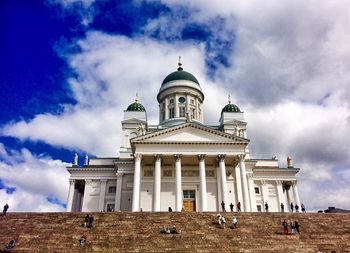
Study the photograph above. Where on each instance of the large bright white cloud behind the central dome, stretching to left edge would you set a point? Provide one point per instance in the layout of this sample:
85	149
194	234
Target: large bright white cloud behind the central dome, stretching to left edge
109	71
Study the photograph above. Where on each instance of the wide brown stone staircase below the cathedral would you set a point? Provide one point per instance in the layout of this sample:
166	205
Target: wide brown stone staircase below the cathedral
140	232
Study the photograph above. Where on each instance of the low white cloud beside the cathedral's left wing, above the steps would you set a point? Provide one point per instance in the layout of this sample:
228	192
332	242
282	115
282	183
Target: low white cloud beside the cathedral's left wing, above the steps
35	180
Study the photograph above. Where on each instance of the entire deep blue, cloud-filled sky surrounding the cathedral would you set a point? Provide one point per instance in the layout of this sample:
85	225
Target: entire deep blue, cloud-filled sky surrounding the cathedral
70	67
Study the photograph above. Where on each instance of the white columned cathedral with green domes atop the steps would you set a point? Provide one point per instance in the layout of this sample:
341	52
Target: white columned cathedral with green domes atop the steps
181	163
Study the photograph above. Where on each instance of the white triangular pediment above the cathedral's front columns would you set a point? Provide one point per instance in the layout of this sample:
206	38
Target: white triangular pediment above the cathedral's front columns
189	133
